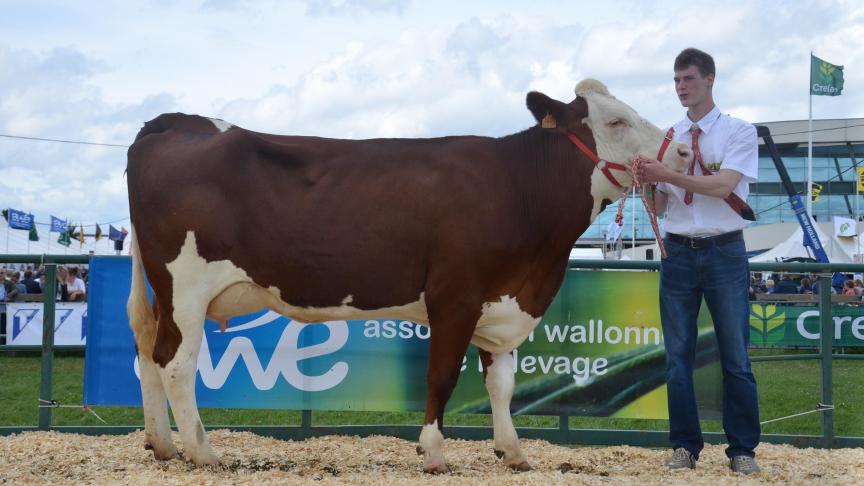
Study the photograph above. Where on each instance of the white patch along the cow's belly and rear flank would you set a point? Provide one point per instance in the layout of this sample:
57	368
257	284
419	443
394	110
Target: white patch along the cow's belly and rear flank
227	290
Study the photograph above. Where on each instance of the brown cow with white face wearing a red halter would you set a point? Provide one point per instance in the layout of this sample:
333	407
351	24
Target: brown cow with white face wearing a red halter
467	235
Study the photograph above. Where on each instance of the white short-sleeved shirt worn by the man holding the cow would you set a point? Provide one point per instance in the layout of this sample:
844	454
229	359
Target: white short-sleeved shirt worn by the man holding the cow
725	143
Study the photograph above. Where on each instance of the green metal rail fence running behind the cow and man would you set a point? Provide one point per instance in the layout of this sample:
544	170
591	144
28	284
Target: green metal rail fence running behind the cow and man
562	434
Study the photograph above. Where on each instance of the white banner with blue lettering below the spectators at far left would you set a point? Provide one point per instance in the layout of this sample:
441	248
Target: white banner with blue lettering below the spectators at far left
24	323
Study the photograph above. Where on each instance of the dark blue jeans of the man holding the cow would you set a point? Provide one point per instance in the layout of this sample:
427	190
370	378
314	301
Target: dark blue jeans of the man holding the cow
720	274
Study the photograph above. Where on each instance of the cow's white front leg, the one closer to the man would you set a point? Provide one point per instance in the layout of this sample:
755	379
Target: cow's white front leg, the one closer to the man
498	375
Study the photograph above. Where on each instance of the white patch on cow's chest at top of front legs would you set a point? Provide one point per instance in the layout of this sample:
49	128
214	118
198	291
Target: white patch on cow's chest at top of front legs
503	326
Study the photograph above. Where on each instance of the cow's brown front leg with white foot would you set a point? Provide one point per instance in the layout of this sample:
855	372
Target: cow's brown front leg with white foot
451	333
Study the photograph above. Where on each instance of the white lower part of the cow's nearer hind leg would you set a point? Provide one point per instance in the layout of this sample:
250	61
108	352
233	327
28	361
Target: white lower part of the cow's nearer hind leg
178	377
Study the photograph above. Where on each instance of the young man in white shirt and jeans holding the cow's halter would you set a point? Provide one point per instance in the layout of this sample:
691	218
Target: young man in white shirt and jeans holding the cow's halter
706	211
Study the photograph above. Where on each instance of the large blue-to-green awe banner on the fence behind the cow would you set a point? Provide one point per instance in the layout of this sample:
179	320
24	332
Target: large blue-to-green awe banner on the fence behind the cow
598	351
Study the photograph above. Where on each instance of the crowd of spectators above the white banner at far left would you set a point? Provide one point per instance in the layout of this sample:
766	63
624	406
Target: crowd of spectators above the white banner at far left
20	280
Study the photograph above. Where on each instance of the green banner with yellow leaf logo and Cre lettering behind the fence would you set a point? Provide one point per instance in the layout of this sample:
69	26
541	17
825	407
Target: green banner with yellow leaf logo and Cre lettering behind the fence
780	324
